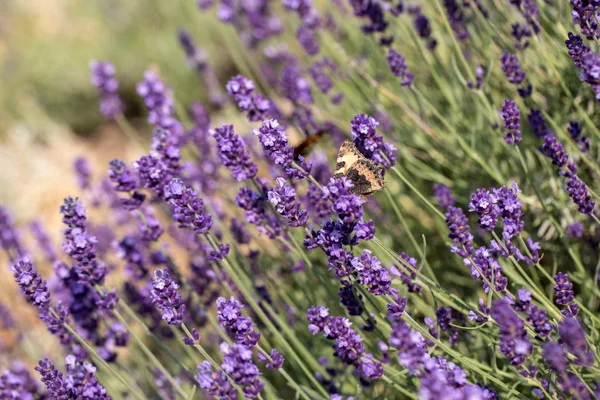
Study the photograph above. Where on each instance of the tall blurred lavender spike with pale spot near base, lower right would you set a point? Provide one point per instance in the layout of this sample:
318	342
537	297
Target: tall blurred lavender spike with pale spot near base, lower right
513	336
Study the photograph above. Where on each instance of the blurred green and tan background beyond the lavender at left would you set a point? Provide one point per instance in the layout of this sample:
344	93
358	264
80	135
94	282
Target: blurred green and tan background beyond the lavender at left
49	109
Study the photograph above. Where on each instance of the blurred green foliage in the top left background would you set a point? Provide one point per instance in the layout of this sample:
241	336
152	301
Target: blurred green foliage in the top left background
45	48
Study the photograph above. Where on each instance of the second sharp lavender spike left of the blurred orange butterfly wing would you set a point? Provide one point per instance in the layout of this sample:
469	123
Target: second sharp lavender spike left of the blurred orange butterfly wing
233	153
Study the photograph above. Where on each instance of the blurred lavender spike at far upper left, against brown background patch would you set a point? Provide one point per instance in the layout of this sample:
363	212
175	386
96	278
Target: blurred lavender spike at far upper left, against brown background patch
103	78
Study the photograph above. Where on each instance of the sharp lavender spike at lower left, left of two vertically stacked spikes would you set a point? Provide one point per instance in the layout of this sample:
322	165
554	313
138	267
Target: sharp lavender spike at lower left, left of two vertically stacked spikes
167	297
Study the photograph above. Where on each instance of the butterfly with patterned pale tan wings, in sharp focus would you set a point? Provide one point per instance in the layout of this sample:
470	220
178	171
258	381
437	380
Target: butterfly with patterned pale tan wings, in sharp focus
351	163
